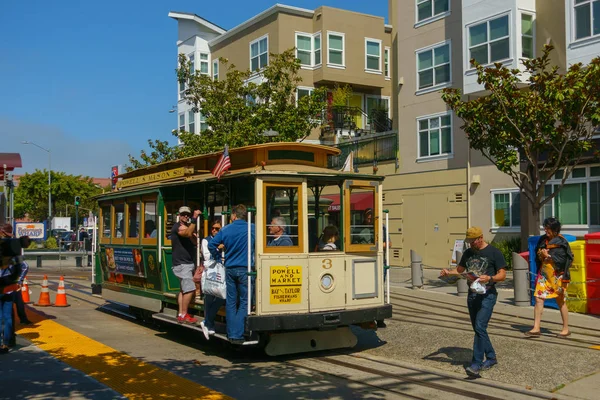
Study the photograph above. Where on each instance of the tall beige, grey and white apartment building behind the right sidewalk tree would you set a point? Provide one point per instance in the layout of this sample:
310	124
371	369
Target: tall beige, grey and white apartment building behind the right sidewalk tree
441	186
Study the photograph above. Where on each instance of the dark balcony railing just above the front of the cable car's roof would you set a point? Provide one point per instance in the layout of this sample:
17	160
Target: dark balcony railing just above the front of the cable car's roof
367	150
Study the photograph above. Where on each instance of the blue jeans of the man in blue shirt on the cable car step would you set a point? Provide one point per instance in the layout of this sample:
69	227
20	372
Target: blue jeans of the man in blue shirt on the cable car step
237	301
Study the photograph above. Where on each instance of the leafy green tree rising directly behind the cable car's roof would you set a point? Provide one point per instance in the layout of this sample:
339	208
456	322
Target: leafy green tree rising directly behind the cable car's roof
238	110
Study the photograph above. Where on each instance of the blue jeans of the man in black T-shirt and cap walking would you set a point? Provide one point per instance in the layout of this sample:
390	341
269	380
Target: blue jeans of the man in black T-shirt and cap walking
481	307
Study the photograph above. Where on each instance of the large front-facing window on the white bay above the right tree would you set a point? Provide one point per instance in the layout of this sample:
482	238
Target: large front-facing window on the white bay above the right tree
489	41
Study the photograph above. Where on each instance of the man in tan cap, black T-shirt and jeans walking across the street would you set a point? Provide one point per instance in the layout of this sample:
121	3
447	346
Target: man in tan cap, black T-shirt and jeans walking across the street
484	266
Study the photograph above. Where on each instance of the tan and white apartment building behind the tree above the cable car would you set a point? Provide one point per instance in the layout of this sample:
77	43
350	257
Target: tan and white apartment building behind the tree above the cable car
335	47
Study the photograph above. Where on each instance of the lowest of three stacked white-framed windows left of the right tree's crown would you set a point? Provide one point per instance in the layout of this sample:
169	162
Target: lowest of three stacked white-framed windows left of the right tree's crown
435	135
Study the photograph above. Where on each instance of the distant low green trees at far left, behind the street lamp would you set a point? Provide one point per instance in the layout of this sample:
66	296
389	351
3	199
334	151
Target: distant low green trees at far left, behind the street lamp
31	196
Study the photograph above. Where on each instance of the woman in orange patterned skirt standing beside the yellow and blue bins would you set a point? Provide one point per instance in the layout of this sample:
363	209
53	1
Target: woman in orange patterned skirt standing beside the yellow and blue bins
554	258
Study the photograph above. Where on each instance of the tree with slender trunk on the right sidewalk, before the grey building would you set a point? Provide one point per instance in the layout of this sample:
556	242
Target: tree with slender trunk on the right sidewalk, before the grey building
533	132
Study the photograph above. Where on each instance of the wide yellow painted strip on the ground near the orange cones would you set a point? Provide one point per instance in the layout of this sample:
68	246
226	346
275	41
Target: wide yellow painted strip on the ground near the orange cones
127	375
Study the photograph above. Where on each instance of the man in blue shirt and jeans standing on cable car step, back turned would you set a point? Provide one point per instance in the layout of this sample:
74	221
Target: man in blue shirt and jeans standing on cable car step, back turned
233	239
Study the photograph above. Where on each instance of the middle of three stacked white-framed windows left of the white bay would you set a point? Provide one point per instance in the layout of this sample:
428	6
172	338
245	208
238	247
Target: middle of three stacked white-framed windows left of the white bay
433	65
